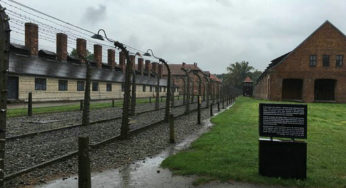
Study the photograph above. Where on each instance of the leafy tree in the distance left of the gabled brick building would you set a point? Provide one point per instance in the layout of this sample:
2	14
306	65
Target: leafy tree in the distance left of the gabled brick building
237	72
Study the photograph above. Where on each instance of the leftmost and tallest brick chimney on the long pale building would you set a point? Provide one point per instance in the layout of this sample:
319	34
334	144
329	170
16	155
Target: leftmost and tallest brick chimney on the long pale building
31	38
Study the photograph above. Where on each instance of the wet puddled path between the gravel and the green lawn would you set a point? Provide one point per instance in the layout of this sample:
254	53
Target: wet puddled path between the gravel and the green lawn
145	173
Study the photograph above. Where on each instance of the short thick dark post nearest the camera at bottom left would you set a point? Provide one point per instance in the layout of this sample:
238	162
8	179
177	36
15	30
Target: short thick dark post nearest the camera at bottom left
84	177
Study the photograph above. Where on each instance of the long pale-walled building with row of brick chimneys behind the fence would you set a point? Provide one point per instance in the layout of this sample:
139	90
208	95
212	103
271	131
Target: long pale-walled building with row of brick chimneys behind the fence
56	76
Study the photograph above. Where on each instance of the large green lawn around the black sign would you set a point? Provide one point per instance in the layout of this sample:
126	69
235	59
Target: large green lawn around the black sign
230	150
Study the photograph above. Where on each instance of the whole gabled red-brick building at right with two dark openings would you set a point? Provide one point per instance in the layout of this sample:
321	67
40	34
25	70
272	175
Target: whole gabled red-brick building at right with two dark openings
313	71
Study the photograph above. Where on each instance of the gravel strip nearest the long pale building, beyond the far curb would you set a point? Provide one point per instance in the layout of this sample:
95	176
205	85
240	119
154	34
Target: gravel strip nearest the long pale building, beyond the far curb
41	122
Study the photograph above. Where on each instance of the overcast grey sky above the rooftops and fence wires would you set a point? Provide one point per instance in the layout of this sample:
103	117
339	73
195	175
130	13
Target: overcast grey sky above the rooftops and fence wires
213	33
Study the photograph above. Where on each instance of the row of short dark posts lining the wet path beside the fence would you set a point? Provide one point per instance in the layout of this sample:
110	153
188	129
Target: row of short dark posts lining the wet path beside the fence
84	172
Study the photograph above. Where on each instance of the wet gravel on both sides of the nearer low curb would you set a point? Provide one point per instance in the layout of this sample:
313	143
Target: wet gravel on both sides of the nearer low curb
149	142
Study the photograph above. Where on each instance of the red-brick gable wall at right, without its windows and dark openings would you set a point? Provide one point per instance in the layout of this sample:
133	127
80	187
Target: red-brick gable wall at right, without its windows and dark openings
327	40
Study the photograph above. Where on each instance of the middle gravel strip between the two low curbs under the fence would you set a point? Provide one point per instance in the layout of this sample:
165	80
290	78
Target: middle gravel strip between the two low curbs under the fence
26	152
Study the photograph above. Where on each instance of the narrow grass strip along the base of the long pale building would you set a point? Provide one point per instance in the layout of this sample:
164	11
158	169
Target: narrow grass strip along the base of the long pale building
72	107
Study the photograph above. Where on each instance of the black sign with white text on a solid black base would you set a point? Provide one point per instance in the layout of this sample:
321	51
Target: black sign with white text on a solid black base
282	158
